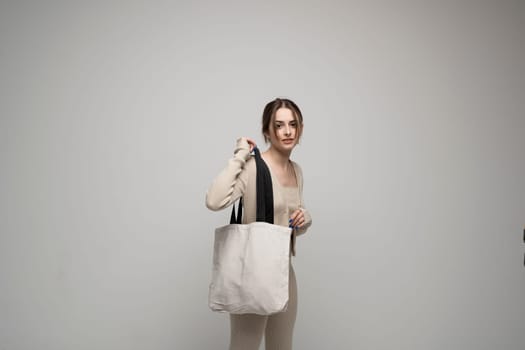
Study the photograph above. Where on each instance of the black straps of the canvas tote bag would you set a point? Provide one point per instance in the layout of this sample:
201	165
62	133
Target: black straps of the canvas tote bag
264	193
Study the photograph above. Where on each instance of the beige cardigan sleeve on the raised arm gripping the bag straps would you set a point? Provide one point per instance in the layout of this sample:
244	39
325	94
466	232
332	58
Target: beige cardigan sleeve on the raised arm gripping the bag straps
231	182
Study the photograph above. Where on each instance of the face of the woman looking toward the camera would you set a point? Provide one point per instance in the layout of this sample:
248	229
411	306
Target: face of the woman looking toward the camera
284	131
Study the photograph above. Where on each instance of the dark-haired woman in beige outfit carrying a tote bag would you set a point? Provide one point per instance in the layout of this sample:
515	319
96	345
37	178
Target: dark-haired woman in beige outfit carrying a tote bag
282	127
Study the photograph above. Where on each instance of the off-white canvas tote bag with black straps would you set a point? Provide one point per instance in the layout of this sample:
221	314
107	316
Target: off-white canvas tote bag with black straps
251	261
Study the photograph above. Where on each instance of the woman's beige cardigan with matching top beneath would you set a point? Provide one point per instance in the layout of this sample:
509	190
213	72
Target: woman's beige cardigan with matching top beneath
238	179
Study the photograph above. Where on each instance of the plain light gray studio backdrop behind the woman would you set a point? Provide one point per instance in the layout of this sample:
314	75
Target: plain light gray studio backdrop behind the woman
116	116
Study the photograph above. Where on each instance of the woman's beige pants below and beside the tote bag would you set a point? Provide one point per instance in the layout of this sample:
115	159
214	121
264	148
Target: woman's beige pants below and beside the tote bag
247	330
